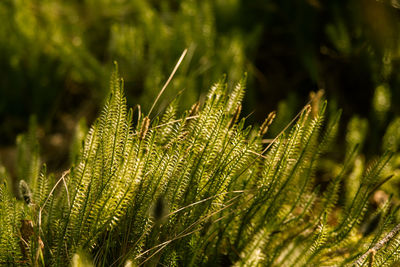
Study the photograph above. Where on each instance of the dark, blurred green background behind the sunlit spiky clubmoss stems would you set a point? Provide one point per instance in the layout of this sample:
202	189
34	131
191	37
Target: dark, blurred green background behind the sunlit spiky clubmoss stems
56	58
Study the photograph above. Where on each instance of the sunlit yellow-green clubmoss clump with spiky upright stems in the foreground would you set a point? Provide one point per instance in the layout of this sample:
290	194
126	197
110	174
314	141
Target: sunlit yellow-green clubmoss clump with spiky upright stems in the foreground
198	189
